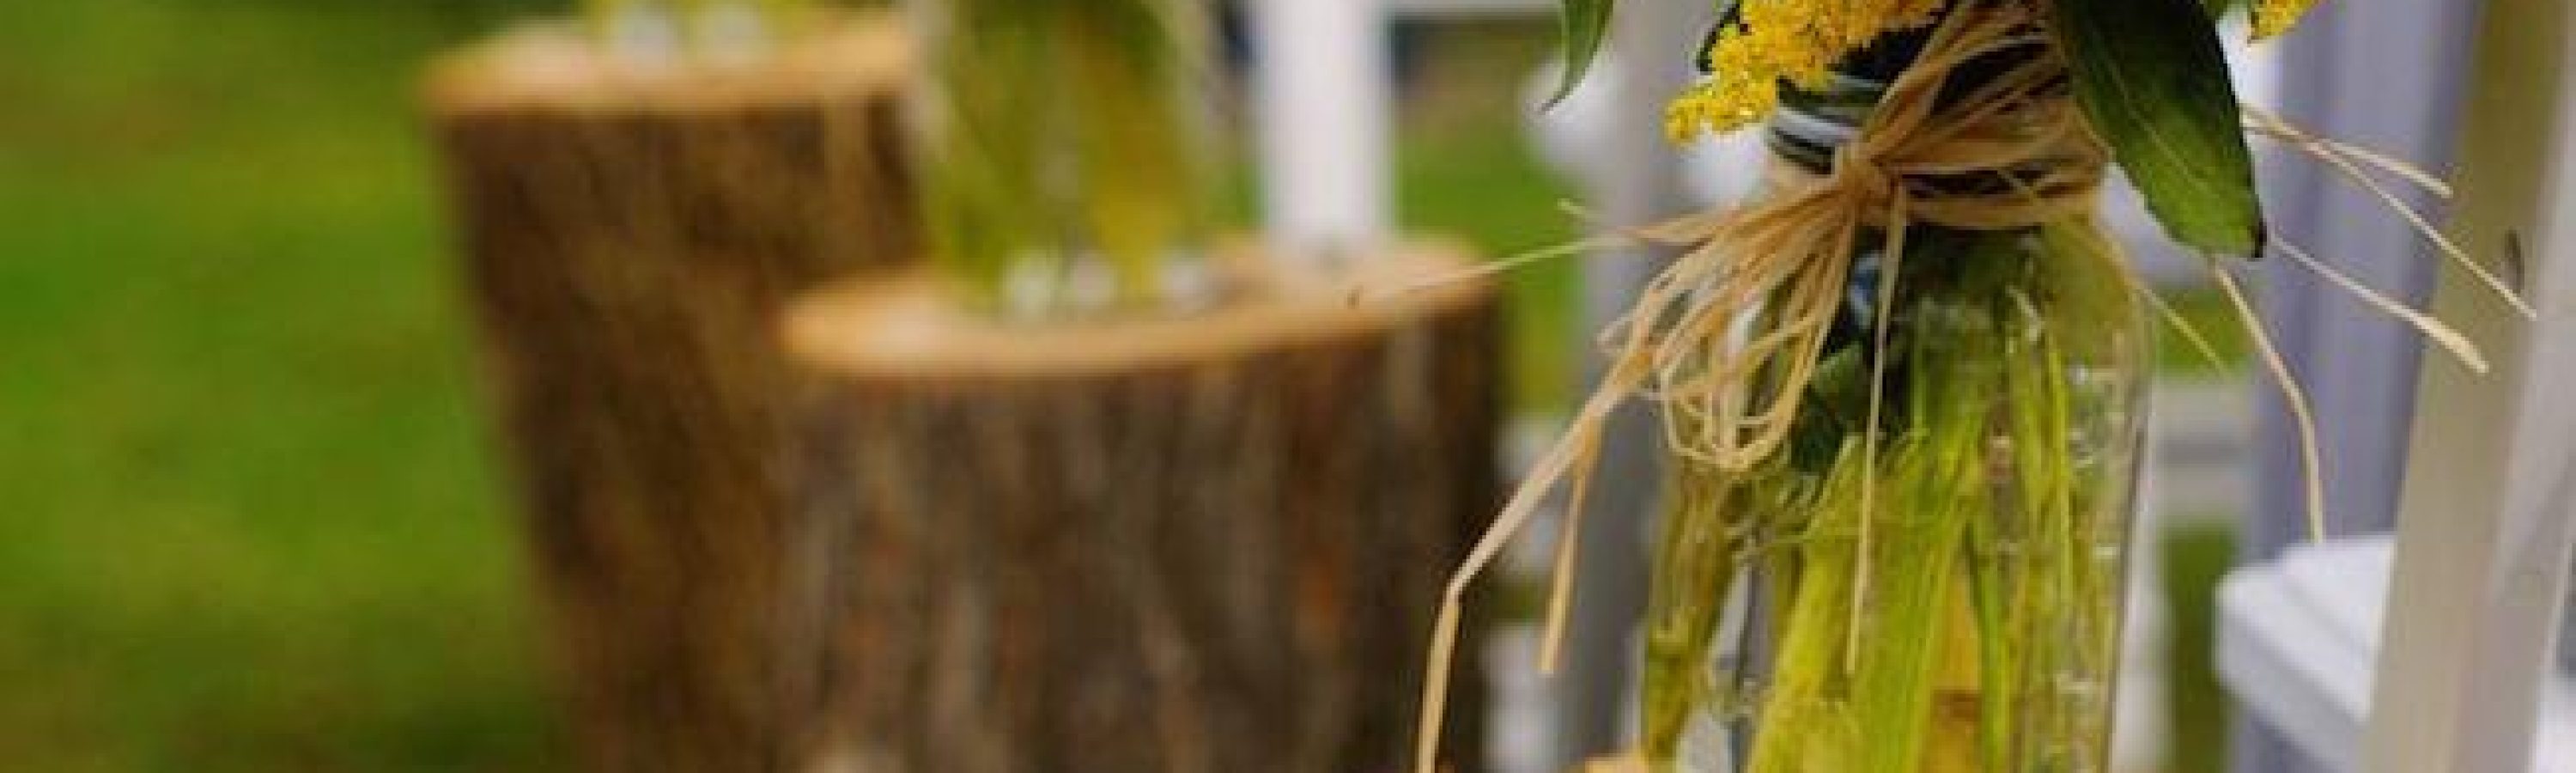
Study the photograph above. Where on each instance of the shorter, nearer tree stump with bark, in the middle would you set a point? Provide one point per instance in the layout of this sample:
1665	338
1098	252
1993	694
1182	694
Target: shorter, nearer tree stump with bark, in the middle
1194	548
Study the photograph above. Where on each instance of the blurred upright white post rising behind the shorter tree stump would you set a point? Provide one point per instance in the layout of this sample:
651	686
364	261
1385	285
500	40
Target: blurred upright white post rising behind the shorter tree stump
1325	99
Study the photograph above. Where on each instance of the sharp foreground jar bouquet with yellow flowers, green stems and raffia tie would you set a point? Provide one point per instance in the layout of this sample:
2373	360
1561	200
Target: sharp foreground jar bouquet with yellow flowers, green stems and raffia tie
1902	390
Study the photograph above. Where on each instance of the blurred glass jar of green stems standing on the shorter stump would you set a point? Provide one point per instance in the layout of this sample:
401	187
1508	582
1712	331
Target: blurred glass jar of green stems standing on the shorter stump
1063	153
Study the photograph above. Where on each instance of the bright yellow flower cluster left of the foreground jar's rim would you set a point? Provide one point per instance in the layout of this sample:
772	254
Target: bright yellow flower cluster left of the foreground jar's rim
1786	40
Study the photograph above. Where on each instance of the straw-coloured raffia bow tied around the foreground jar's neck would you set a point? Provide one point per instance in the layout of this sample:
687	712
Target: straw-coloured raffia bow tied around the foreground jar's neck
1735	401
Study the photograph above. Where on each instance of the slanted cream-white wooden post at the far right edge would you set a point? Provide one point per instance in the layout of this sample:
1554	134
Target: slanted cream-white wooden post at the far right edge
2490	509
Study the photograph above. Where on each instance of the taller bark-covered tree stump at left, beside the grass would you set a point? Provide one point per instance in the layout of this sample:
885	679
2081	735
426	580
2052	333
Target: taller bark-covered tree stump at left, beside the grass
632	236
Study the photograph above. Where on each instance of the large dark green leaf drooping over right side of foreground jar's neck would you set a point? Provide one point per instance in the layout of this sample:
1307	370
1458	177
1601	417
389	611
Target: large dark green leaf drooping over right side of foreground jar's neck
2152	79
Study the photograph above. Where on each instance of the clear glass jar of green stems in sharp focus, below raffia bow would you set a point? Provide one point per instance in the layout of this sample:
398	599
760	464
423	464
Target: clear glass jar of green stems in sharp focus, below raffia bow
1949	594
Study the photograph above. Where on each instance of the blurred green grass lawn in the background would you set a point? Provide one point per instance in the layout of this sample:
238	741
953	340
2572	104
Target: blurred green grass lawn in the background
254	519
